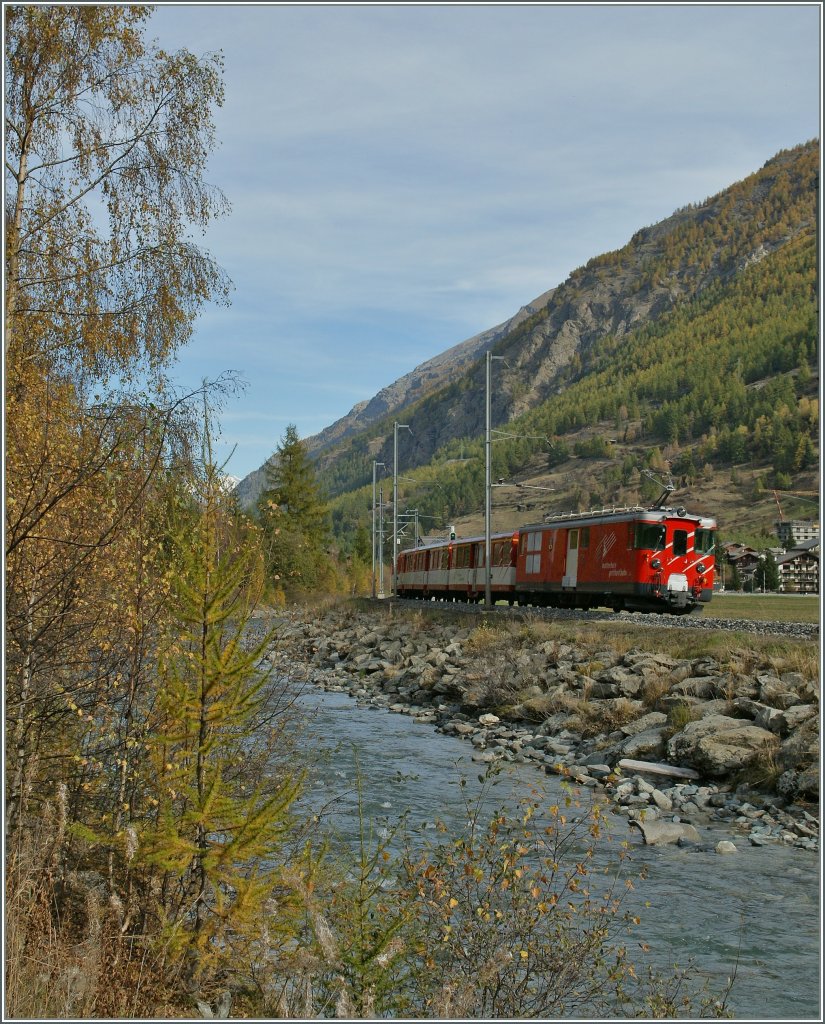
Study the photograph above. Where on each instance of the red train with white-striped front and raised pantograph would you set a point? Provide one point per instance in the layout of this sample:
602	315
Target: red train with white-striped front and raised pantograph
658	560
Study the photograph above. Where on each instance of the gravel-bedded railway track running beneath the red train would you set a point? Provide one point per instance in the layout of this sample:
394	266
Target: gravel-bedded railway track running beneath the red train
801	631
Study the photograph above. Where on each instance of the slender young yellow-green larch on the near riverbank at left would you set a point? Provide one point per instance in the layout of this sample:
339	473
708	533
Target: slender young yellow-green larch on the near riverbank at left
216	834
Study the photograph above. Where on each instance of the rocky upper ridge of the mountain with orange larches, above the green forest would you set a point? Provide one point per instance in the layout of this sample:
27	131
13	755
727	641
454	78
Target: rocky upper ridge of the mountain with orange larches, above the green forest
546	345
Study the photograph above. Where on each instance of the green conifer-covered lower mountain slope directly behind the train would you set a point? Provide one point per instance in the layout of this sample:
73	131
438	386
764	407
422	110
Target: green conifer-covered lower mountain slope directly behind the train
721	395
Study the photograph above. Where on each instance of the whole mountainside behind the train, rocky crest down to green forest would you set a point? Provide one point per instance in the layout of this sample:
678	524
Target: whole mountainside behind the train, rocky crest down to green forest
691	351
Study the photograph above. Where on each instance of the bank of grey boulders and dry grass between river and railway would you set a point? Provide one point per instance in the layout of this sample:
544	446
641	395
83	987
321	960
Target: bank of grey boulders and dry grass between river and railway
676	744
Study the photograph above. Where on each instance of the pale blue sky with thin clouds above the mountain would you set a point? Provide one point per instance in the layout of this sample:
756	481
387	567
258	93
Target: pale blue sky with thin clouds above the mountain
404	178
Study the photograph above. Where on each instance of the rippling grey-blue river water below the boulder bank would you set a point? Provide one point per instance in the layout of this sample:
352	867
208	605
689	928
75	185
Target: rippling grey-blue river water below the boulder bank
757	911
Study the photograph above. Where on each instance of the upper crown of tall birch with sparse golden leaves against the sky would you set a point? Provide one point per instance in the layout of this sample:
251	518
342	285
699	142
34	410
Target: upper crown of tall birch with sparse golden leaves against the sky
107	144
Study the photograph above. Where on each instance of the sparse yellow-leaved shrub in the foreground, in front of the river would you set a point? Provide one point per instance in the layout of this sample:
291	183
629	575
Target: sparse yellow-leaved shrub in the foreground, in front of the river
509	919
